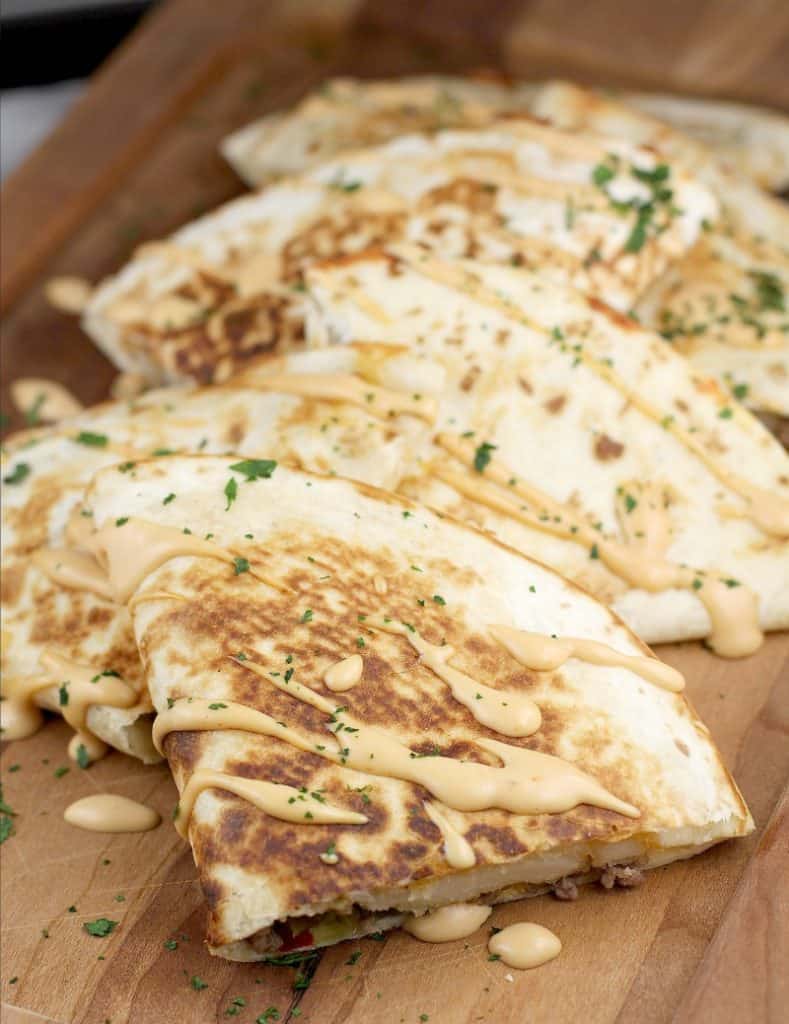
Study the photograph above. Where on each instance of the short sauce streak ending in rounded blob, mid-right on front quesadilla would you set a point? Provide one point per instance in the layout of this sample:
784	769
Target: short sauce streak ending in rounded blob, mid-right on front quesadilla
506	712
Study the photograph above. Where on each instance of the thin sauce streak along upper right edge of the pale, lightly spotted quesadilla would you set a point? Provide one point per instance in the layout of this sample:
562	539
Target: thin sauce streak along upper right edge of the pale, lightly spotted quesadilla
768	510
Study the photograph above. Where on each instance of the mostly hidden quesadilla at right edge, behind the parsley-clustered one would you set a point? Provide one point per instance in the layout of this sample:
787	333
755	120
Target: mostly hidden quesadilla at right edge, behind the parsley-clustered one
724	305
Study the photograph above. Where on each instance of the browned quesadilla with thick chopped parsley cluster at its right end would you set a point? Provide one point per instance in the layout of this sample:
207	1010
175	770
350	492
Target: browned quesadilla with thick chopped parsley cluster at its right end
601	215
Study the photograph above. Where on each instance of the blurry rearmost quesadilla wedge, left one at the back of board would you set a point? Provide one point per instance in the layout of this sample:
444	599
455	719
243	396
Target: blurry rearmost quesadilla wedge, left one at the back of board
345	114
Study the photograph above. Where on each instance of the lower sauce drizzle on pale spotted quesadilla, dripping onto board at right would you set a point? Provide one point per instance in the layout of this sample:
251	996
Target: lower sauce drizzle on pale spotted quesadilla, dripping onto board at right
640	561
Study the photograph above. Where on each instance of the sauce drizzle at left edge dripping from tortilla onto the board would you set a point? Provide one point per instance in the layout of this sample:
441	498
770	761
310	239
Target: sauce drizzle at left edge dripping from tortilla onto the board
83	688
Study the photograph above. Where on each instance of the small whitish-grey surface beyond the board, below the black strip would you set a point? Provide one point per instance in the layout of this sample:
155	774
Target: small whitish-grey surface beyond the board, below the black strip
28	116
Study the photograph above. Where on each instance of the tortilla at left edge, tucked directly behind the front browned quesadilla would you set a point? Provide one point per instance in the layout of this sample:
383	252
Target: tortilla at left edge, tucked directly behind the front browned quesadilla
327	436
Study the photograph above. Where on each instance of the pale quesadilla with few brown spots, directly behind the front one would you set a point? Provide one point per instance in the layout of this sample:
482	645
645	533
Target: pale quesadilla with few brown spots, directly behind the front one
584	441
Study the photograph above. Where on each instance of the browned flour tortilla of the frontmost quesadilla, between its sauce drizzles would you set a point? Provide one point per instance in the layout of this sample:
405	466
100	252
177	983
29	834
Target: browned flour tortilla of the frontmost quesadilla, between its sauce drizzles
267	887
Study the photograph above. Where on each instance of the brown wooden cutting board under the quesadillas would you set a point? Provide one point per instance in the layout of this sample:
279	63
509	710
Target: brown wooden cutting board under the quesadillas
702	941
